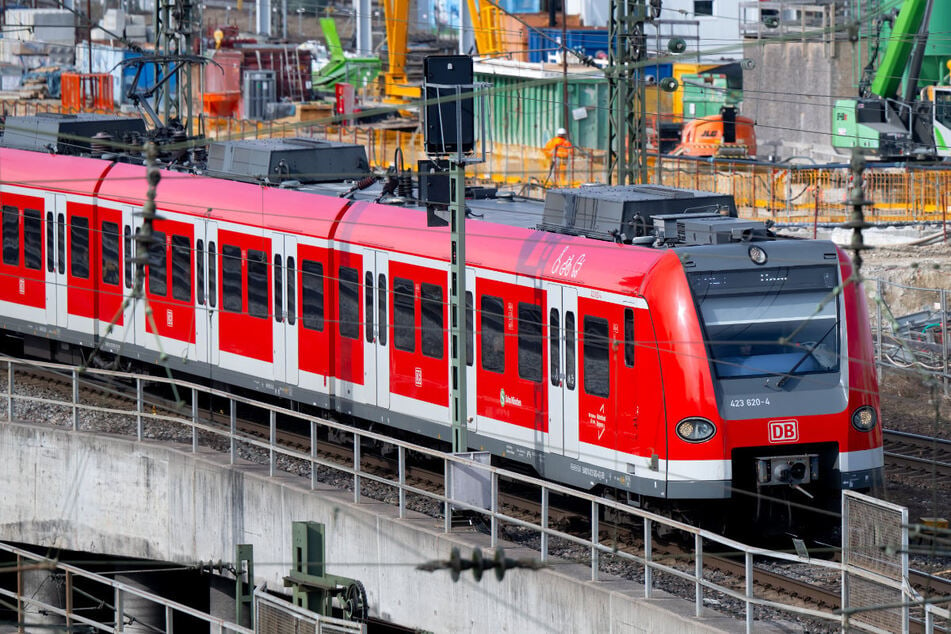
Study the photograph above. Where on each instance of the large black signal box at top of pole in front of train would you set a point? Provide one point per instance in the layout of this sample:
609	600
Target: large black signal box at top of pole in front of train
443	134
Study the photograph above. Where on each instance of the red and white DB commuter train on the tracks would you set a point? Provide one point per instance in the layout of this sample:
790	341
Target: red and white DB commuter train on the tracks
640	339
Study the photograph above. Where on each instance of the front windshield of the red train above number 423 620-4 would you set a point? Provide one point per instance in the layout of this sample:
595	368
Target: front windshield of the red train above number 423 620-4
769	321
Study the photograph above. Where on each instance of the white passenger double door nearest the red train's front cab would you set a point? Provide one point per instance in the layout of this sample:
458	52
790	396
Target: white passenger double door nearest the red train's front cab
562	370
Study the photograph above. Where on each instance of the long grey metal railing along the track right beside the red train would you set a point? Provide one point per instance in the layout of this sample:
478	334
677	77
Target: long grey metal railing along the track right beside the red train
229	438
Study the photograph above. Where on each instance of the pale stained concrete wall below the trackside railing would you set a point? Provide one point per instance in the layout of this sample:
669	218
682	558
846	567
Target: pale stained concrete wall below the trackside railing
116	496
